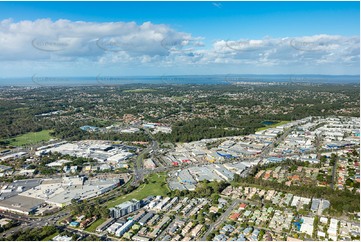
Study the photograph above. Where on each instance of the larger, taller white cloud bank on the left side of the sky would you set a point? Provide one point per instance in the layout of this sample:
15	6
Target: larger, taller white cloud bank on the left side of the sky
43	38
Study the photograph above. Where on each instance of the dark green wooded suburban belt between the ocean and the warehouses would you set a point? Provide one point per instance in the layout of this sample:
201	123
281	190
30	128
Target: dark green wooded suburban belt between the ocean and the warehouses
19	112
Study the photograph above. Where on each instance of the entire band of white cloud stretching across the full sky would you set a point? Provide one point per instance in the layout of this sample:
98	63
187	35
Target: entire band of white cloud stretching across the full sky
65	43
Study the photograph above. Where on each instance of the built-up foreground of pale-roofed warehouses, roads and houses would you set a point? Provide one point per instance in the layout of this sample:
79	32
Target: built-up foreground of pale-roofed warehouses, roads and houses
212	189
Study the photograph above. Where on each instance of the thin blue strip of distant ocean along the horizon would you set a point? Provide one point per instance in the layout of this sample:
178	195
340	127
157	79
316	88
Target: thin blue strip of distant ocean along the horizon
176	79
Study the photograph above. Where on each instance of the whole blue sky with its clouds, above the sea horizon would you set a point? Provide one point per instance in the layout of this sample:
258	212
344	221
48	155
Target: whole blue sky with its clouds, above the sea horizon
178	38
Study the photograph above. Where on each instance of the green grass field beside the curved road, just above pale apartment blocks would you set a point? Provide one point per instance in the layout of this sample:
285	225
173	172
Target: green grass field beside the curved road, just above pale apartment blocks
154	187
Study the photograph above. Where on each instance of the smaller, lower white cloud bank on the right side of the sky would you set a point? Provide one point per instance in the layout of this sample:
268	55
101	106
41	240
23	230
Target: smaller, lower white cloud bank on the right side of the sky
314	49
